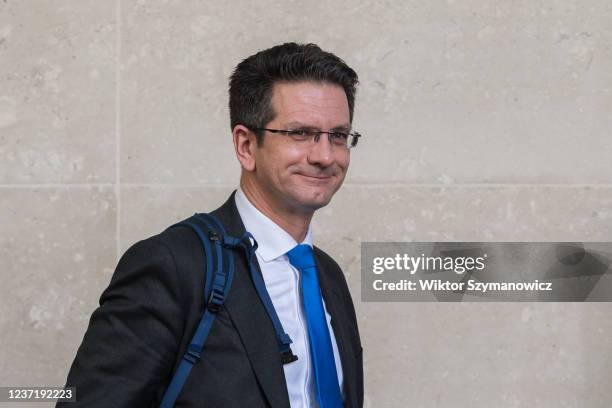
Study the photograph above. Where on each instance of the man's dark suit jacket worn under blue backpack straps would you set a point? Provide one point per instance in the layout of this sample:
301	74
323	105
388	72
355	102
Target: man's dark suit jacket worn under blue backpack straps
151	308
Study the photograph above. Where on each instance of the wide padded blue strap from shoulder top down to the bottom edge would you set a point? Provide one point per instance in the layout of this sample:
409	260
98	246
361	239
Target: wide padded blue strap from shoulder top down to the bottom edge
217	284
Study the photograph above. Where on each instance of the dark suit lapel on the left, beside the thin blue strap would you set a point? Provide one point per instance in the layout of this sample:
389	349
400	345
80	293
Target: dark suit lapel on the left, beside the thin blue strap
251	320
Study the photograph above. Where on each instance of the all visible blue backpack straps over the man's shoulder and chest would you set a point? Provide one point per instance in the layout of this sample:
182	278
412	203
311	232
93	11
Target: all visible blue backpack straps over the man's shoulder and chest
219	251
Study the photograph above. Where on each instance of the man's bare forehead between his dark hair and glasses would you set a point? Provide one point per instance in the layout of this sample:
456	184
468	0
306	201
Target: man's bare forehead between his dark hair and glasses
312	103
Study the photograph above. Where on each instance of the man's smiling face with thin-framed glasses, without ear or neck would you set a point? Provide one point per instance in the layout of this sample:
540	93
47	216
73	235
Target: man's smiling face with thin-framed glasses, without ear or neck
303	176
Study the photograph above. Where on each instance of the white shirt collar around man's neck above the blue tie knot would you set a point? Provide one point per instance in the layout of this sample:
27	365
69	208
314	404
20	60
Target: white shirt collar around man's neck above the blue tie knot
272	240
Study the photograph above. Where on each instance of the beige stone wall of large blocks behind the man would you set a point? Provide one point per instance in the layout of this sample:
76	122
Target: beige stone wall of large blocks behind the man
483	120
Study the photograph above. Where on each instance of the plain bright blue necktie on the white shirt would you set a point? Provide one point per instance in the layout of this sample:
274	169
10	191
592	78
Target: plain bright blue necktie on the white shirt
321	352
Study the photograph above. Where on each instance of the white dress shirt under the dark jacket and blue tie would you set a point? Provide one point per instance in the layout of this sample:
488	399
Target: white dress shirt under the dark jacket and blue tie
283	284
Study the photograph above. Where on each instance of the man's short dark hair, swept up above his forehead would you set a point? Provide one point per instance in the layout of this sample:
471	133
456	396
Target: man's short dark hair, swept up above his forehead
251	83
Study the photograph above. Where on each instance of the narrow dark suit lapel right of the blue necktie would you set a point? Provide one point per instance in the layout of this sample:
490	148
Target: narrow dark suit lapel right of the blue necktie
339	322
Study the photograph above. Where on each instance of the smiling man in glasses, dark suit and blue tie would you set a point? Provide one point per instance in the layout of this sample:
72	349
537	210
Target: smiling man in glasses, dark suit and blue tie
291	109
